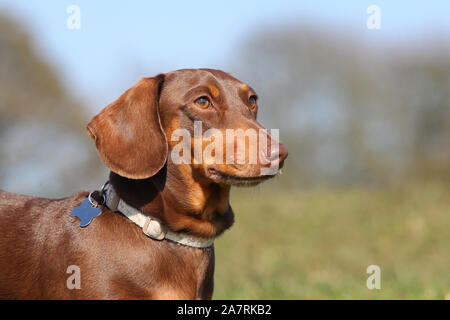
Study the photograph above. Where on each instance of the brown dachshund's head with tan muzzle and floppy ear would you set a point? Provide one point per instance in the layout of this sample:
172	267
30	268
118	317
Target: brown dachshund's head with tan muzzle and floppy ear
202	119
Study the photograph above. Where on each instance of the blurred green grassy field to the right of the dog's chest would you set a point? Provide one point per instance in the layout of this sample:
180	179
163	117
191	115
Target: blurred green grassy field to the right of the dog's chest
317	244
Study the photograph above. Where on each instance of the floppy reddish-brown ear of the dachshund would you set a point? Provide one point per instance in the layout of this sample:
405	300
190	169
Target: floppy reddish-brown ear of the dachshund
128	133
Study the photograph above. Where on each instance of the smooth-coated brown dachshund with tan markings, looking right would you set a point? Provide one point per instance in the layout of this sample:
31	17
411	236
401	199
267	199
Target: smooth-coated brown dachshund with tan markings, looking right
40	241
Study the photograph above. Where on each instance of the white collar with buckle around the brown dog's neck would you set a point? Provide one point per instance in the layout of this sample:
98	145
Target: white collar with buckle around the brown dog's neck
152	227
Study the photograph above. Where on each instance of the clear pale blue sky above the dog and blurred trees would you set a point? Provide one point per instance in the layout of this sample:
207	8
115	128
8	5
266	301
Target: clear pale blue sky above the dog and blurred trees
120	41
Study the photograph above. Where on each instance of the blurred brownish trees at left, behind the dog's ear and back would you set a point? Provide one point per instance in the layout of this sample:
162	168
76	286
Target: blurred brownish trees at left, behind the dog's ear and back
44	148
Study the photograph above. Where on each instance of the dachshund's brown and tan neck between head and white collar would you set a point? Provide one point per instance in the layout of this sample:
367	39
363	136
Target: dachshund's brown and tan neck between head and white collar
203	210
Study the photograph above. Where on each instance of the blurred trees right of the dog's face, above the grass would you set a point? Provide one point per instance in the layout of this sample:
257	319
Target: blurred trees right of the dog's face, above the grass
353	110
